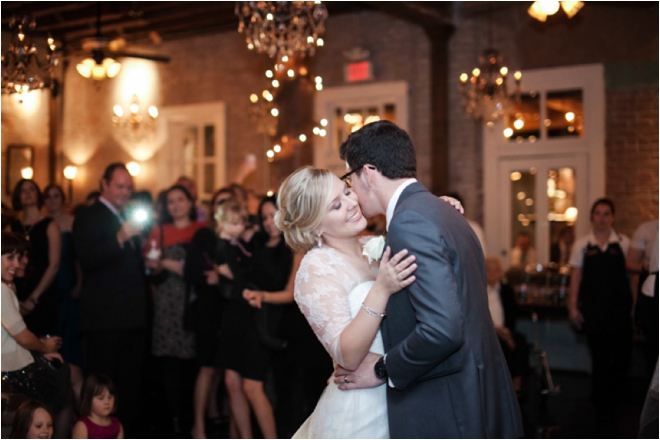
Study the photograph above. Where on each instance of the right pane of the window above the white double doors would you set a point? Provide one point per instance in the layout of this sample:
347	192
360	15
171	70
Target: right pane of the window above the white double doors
564	114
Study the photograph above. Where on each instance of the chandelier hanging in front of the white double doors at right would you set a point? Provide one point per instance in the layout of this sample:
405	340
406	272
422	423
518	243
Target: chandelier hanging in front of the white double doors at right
485	94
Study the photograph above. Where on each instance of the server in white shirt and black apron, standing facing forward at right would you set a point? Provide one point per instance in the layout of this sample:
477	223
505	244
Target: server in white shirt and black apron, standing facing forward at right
600	303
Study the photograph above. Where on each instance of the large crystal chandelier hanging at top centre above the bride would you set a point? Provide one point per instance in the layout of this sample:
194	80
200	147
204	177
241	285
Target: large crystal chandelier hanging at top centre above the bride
282	29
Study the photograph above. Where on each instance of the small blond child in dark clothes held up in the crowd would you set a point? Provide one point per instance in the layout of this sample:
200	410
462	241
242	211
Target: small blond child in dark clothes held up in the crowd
232	219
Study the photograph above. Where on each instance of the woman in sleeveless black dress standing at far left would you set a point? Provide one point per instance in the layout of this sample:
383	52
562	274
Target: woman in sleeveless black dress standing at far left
36	291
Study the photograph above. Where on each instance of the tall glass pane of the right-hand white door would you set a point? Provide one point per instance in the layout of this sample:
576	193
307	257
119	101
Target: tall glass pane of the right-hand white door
561	213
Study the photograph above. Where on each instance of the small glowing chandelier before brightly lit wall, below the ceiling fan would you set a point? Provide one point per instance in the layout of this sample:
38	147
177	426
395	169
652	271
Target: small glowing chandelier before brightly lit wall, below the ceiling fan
137	126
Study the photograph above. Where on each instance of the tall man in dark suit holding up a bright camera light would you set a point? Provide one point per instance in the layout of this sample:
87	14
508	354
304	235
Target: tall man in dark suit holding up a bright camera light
113	295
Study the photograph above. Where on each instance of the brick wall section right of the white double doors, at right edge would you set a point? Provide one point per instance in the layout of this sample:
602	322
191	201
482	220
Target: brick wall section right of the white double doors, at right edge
632	156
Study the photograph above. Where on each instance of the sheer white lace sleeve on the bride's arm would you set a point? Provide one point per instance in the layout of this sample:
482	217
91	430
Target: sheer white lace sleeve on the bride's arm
321	291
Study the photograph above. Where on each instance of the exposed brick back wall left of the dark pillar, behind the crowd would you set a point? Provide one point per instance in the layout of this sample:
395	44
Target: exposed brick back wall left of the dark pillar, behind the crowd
219	67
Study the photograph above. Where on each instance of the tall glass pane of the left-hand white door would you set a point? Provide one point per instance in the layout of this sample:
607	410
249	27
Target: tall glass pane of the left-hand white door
523	209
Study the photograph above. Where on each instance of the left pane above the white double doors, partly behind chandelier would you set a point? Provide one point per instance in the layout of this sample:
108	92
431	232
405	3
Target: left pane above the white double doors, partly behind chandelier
523	123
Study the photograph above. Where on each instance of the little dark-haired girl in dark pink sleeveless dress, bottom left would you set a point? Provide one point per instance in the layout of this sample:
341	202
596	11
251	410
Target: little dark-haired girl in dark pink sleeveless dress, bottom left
97	403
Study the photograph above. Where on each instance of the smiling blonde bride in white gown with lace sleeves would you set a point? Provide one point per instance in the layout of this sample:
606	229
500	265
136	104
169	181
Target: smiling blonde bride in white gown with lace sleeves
342	295
